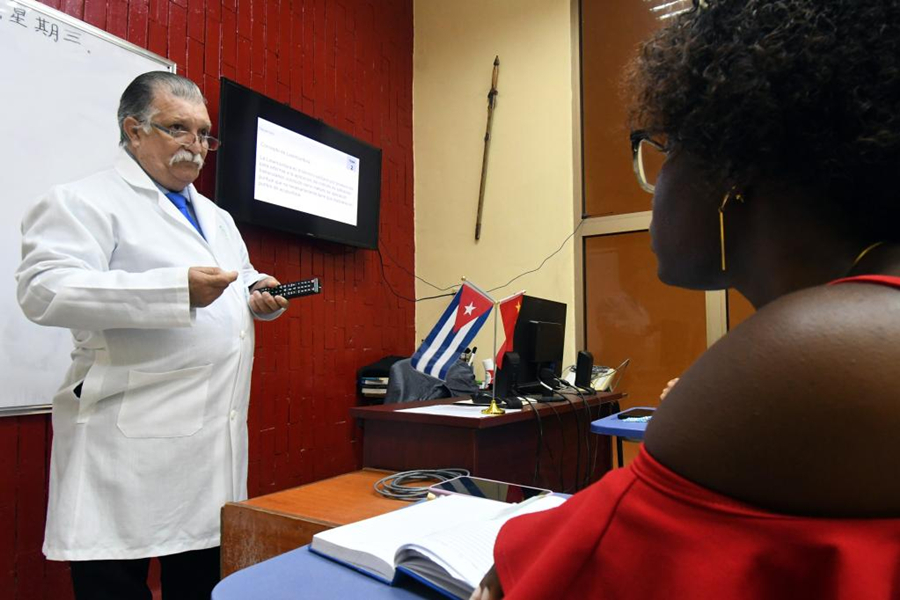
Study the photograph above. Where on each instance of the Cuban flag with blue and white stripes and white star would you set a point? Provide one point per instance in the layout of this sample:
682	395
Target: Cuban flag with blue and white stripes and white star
453	332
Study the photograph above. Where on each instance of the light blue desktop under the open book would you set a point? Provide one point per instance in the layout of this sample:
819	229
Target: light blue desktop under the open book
301	574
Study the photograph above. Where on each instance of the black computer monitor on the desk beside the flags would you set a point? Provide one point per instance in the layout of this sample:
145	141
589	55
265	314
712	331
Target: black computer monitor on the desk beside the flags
538	340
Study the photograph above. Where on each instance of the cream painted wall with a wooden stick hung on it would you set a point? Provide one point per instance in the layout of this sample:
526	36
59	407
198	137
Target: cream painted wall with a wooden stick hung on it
529	207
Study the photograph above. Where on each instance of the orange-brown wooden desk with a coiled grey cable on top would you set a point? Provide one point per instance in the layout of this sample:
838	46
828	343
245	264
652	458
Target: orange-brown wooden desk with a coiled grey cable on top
259	528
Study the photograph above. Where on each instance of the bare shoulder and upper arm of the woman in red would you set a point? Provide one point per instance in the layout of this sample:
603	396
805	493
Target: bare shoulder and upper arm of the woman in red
795	410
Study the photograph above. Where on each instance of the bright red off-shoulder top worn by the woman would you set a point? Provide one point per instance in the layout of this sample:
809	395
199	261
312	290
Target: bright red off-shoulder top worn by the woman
645	532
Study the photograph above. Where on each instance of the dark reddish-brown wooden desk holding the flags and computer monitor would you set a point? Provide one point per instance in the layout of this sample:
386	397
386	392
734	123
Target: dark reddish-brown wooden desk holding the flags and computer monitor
502	447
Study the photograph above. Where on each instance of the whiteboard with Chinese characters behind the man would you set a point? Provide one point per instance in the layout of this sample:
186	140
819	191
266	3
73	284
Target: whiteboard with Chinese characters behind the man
61	81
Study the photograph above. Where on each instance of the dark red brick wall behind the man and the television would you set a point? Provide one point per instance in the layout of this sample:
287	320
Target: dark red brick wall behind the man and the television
348	62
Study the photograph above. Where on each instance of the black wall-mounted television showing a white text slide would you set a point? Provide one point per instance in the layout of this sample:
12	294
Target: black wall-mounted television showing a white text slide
282	169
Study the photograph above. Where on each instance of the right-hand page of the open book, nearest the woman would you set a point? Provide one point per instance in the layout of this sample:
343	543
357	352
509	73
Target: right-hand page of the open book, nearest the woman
466	552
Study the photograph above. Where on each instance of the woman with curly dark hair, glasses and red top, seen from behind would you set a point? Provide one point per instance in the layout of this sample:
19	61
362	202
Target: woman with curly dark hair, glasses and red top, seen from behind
770	471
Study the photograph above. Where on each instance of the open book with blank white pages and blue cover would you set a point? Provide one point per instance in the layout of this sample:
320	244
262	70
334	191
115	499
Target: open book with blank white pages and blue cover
448	542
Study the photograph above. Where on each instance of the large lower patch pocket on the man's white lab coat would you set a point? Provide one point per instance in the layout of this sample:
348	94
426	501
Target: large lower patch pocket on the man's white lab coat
164	405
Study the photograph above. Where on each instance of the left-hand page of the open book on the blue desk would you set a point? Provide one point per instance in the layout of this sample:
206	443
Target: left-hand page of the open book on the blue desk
370	545
